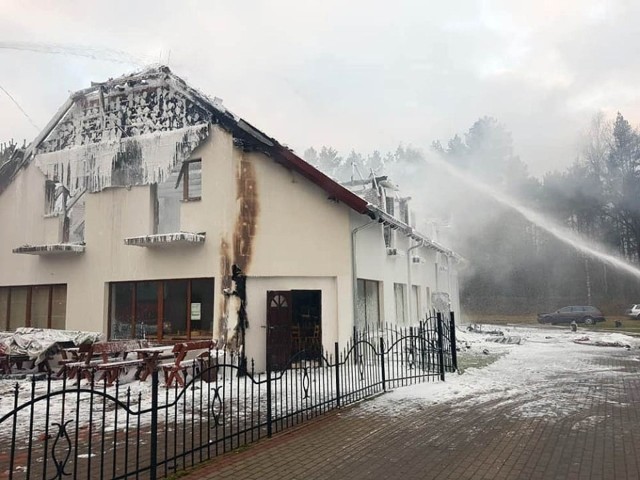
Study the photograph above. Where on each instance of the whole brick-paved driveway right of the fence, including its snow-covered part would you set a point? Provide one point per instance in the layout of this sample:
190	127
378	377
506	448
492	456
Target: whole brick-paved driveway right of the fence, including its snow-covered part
551	410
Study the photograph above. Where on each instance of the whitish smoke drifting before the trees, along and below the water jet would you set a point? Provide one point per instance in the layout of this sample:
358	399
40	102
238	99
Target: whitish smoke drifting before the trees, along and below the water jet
519	259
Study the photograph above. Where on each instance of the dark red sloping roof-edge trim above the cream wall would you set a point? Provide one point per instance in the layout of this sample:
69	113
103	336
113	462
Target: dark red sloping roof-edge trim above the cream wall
337	191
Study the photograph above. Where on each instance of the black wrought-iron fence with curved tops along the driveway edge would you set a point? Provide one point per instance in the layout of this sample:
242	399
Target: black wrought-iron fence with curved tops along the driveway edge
87	430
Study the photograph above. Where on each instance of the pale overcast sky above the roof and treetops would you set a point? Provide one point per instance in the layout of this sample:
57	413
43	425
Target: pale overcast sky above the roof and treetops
359	74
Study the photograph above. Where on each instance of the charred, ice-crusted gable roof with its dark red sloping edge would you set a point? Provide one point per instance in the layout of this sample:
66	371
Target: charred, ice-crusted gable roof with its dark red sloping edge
109	112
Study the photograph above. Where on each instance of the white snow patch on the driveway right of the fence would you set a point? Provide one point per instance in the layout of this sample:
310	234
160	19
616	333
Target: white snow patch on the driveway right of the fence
543	375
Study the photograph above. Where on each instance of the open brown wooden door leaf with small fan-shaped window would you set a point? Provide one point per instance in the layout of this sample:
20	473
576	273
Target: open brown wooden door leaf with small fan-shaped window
278	329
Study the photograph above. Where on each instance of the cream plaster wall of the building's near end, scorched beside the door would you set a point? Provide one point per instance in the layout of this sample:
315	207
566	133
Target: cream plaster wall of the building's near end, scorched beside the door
299	234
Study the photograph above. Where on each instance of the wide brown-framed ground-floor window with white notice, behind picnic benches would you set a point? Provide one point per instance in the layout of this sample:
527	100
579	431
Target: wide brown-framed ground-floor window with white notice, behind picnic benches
162	309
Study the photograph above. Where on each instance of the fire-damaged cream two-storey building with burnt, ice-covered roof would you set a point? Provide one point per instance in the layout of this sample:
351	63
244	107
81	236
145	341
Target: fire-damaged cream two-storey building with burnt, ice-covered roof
145	208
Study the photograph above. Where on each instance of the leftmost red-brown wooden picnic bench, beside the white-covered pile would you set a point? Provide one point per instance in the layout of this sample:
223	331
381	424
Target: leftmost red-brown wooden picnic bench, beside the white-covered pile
107	358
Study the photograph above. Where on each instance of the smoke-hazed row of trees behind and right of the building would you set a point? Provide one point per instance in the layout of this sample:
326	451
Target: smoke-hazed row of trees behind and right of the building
514	266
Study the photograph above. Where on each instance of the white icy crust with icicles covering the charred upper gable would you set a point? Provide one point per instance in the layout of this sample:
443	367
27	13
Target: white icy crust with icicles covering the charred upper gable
134	131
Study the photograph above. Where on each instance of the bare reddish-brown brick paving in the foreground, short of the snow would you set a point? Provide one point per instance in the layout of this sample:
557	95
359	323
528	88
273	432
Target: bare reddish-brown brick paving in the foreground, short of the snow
598	437
